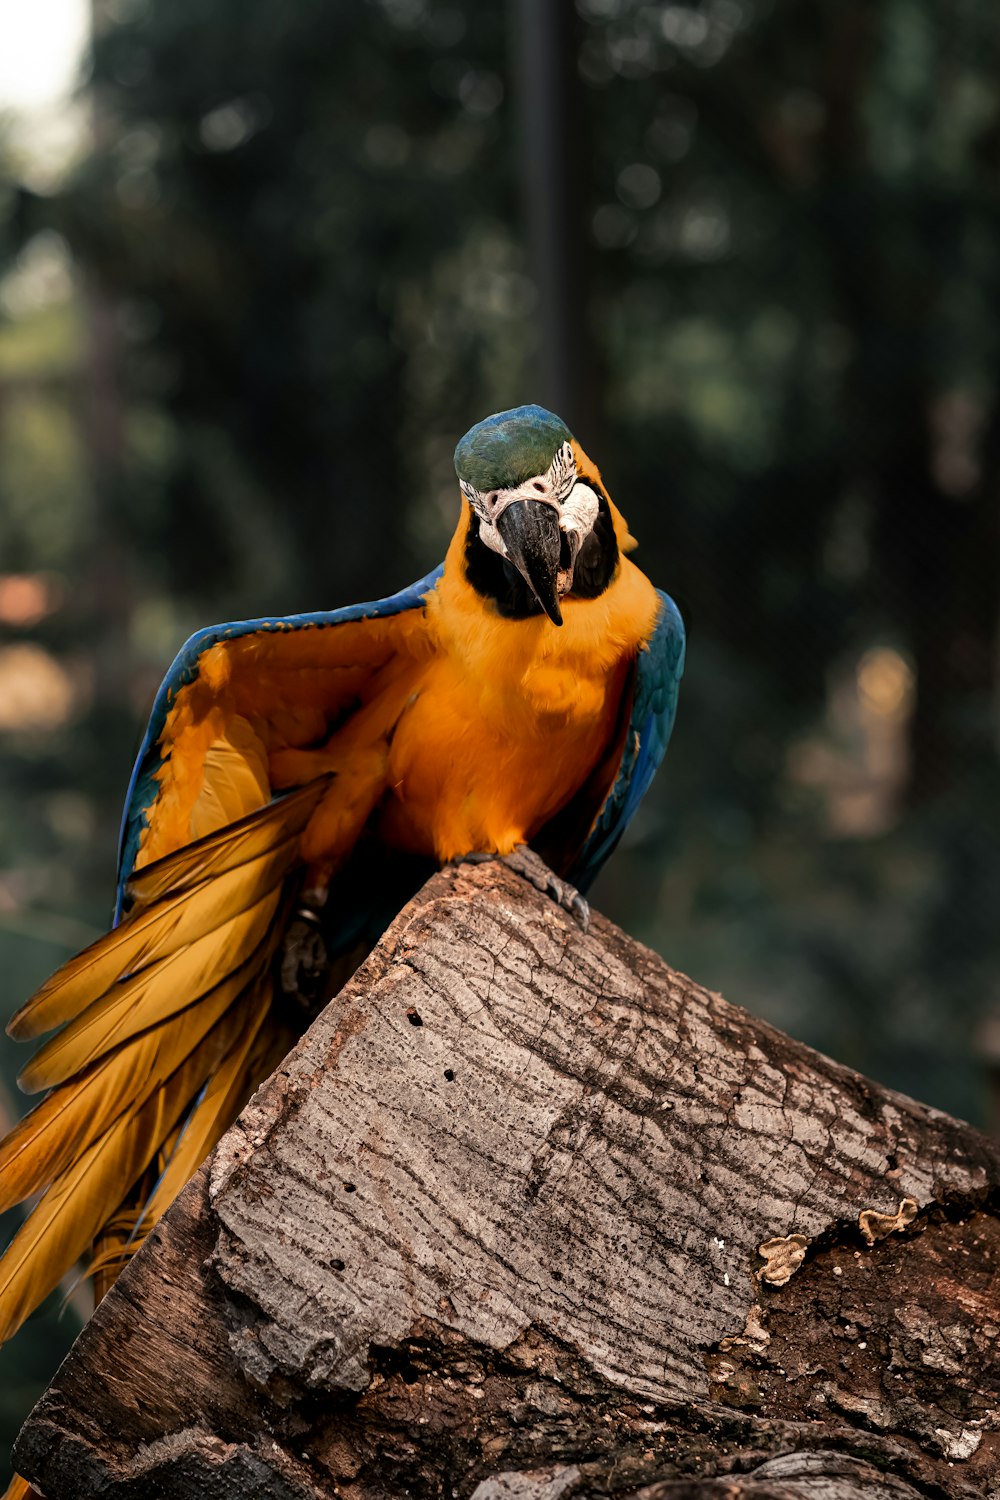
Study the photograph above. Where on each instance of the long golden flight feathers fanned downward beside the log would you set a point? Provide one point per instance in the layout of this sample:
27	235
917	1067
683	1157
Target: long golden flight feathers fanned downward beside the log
169	1004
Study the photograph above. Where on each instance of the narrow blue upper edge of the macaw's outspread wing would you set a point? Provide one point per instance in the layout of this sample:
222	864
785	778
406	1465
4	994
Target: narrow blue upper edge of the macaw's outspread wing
143	787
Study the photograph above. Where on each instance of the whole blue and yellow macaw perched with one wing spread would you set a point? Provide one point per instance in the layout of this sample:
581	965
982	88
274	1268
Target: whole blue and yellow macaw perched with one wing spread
298	781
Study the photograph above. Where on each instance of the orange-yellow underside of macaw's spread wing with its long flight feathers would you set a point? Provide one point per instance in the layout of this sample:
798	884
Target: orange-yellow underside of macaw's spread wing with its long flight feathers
167	1022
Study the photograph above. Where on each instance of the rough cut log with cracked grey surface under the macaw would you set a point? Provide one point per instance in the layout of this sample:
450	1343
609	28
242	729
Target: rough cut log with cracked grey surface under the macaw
528	1216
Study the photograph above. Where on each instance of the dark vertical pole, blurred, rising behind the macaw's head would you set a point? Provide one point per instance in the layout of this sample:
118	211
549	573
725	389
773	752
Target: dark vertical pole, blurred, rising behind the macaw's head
554	158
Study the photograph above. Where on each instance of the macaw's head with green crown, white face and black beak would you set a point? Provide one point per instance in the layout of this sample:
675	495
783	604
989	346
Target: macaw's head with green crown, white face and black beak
540	524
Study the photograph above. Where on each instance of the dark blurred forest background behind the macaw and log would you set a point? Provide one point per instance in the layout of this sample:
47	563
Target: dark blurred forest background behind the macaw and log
263	265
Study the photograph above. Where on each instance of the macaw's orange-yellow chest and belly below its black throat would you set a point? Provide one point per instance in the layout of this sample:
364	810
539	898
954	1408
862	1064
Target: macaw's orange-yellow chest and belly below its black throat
510	719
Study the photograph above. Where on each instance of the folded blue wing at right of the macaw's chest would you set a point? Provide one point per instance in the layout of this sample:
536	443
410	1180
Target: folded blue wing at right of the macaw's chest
656	691
